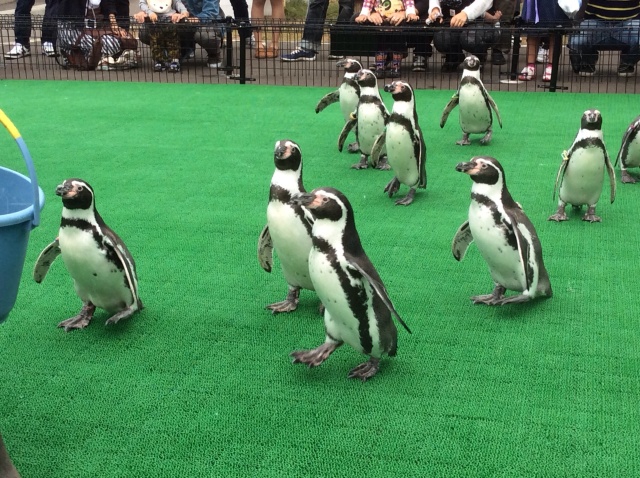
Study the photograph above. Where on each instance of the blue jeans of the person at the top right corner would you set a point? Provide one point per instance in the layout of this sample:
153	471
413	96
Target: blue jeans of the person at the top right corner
593	34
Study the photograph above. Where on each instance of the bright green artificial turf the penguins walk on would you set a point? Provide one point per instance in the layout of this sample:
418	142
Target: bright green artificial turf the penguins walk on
199	383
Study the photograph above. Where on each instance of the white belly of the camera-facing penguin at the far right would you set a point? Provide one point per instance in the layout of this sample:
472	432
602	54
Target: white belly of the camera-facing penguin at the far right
583	178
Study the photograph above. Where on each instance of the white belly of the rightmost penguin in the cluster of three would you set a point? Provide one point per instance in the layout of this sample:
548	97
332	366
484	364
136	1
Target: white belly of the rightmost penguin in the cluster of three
401	154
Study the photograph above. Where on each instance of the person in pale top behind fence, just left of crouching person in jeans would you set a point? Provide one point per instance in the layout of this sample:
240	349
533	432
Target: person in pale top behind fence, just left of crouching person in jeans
163	33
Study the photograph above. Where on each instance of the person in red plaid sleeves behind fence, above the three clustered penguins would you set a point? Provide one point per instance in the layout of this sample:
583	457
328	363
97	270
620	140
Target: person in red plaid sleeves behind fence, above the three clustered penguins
393	12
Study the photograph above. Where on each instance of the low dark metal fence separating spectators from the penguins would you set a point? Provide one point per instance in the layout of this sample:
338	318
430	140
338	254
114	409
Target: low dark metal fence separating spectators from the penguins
240	64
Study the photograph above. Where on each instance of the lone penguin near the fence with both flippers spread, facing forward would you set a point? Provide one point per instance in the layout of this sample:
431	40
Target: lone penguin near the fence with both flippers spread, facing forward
475	104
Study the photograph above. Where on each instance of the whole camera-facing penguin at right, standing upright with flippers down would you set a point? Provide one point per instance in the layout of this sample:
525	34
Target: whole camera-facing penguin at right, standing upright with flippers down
581	172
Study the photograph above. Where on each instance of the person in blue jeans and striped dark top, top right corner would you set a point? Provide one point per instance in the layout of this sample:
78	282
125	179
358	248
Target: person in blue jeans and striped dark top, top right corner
607	23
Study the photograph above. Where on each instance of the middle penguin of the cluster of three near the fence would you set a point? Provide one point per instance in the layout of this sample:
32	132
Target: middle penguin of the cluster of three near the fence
369	119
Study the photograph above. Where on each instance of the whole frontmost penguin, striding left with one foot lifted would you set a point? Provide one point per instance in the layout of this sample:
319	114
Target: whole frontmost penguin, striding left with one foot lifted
358	310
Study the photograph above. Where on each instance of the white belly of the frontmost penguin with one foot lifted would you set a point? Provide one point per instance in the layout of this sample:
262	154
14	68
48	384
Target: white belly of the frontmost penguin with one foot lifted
339	320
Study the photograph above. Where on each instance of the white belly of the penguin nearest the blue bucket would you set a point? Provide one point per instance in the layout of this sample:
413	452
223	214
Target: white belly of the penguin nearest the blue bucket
96	278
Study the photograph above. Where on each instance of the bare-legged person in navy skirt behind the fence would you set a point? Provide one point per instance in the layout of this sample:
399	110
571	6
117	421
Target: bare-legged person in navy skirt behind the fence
540	15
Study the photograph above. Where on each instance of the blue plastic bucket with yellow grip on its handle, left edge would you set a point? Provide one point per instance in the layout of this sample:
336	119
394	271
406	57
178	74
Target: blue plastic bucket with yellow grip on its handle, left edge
21	201
